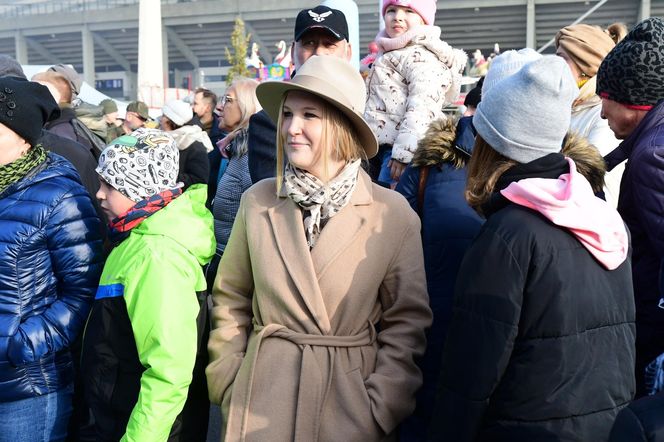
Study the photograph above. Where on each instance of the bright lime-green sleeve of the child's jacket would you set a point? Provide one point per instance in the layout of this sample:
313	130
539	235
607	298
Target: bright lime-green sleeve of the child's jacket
163	307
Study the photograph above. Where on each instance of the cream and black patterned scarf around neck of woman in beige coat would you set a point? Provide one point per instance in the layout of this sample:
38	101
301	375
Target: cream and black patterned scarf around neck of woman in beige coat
320	201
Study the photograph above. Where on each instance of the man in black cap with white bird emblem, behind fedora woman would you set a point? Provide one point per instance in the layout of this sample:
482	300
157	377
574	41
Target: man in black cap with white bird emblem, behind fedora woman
318	31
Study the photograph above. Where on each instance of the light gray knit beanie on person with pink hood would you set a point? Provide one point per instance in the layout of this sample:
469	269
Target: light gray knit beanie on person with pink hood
526	115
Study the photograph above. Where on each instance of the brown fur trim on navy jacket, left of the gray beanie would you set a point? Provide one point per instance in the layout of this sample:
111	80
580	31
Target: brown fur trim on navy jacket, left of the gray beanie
437	146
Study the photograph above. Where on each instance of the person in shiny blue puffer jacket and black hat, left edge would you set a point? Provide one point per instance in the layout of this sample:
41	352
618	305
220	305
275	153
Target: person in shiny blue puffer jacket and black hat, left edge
50	262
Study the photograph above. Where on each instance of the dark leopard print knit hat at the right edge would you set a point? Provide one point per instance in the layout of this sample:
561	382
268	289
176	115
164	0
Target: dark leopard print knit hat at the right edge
633	72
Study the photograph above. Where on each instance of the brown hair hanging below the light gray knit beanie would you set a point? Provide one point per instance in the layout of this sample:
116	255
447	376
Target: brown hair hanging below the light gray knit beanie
484	168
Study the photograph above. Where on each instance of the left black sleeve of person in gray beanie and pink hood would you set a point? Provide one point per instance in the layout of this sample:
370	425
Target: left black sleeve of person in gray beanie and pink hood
480	337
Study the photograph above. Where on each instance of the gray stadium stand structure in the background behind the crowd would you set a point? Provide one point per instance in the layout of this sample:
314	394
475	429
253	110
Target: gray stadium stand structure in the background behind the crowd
196	32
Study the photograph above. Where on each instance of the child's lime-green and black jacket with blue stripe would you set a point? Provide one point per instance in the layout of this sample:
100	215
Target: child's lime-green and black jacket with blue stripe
146	335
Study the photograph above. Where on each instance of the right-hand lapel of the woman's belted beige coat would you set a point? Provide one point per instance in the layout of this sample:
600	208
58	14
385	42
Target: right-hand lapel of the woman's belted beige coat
342	229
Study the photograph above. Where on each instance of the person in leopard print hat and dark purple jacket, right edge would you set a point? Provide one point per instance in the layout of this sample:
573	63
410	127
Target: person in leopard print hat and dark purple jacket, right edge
630	82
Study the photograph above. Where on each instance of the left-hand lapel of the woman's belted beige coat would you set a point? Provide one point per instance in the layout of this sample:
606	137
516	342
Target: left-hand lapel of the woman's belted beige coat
286	221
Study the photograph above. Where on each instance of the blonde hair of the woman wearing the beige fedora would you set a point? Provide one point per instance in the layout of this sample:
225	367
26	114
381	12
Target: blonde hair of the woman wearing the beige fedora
339	138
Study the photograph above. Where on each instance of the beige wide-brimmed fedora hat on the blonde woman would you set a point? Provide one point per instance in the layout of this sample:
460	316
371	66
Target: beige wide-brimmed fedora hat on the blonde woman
334	80
